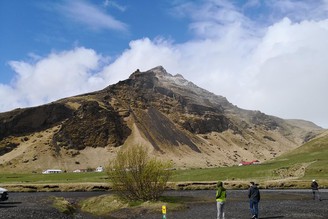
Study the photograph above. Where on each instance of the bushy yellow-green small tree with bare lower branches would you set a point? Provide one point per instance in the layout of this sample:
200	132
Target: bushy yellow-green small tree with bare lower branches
137	176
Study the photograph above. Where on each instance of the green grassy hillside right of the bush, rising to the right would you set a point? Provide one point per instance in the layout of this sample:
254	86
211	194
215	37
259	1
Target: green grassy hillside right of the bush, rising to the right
304	163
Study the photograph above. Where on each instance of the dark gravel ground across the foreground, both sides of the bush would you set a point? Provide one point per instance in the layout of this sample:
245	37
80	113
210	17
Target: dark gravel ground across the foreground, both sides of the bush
274	204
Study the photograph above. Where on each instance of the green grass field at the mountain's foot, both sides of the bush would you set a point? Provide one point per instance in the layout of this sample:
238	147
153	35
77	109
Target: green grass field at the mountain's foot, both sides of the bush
307	162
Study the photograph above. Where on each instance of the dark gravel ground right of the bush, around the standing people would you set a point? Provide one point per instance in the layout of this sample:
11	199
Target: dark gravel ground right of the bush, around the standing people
274	204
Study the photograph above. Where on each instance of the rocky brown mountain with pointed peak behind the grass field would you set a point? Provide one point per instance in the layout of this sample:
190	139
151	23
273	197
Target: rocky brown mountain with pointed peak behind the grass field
173	117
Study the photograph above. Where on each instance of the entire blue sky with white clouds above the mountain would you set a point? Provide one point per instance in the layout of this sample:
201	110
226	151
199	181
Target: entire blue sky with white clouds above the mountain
262	55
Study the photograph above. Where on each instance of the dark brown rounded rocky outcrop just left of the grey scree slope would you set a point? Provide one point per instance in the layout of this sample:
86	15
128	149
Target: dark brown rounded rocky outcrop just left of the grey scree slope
92	126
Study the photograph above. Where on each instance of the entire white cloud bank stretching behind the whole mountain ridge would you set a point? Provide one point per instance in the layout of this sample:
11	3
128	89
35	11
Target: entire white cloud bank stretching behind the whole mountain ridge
279	69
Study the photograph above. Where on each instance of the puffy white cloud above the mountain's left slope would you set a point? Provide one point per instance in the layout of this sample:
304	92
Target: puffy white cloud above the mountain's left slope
56	76
